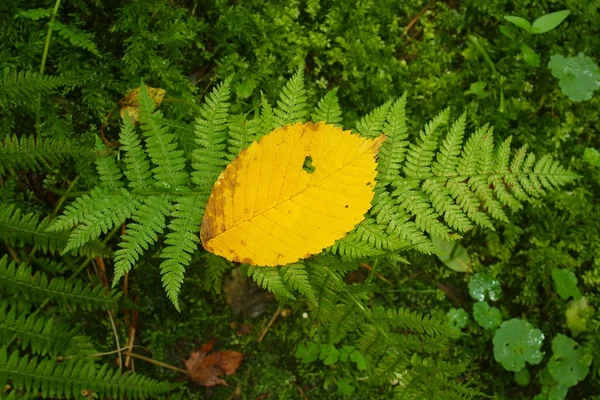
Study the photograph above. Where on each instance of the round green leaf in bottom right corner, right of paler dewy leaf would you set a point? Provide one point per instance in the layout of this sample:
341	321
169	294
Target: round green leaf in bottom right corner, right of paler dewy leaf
568	364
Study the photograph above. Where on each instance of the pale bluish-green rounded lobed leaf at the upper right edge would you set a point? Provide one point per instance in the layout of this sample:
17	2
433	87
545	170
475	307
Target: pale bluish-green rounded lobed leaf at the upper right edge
578	76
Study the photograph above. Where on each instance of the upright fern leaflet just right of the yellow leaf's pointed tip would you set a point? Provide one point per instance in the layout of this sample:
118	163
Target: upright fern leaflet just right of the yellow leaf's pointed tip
393	149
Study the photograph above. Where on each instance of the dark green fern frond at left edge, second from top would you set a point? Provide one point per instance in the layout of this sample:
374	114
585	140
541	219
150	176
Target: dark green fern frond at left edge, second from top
30	154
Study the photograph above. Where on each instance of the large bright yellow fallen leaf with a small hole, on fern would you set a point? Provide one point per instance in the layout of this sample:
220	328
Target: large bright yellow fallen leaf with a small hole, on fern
291	194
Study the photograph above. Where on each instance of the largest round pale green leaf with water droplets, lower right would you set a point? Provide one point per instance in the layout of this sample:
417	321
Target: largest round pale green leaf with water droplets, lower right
517	342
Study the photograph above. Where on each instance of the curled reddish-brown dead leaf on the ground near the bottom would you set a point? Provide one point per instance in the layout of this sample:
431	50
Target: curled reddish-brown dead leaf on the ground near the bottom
205	369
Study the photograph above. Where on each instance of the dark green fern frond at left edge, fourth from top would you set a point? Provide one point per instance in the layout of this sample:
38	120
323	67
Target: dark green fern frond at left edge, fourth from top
37	287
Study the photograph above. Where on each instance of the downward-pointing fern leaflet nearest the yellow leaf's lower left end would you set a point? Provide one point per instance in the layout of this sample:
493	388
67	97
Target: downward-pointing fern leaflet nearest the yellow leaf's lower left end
181	242
